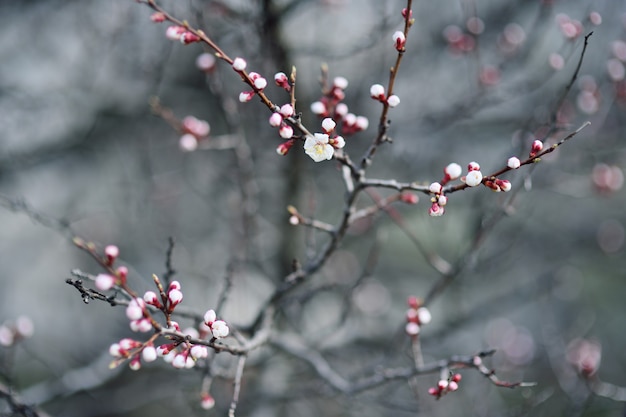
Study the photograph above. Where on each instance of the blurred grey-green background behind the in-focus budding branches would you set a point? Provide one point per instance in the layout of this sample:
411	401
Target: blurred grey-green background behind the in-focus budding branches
538	271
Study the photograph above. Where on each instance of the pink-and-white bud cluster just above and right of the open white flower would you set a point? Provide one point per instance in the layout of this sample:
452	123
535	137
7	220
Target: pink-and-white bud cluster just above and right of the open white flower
331	105
